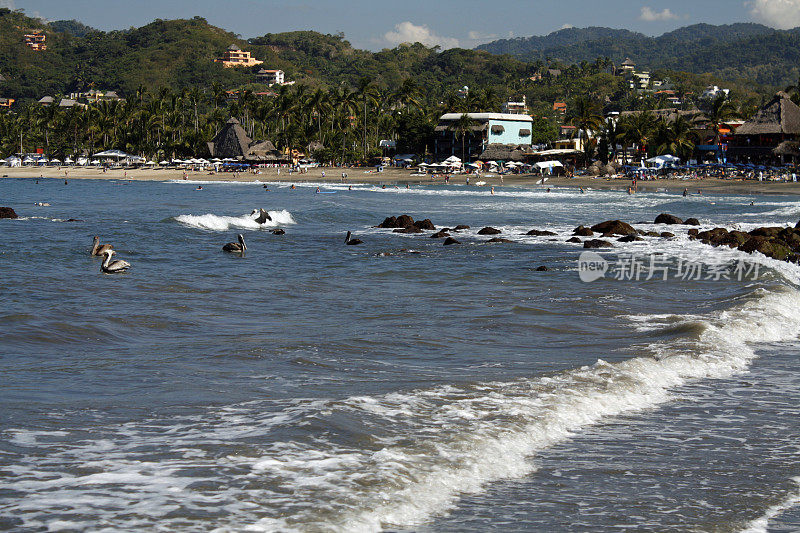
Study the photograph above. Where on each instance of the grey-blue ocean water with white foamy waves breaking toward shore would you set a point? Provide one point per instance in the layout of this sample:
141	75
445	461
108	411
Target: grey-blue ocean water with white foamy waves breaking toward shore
399	385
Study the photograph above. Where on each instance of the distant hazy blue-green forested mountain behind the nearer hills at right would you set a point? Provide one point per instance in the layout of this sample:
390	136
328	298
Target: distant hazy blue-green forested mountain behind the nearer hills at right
744	50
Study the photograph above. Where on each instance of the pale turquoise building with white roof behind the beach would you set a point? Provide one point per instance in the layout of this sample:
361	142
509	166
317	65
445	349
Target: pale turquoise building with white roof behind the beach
485	129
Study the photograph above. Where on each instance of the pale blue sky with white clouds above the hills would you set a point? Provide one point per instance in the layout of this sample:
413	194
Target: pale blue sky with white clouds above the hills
380	24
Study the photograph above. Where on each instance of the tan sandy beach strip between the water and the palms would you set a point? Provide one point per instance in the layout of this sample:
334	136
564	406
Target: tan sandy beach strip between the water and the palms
393	176
